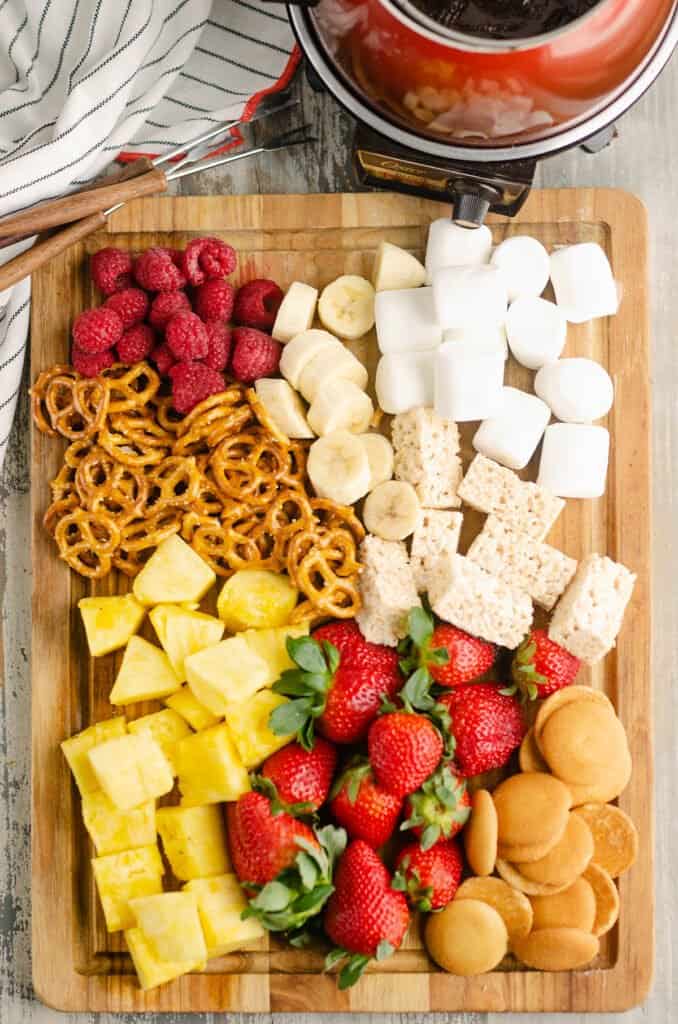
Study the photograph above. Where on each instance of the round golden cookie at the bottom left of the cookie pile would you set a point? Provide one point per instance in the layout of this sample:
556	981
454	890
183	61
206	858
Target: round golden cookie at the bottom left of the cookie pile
468	937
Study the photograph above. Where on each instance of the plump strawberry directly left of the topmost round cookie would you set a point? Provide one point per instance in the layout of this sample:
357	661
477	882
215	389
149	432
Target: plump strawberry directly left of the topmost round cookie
487	726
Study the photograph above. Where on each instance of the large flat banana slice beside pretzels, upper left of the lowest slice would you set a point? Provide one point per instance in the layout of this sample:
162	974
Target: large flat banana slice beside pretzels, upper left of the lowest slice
338	467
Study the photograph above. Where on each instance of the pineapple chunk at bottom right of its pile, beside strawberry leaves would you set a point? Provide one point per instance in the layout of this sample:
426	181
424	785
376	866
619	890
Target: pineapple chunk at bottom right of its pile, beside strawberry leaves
221	903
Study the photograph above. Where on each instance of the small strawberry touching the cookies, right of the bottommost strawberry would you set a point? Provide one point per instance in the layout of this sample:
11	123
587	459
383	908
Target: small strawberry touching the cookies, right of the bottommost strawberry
430	878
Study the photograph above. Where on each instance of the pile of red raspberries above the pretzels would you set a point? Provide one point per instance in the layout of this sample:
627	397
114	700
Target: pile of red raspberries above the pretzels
176	309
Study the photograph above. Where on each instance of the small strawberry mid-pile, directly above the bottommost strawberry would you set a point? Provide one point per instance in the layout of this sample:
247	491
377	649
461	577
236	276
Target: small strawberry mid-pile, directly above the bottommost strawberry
363	807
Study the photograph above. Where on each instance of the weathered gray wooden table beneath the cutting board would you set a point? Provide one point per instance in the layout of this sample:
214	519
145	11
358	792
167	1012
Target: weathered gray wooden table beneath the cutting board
644	160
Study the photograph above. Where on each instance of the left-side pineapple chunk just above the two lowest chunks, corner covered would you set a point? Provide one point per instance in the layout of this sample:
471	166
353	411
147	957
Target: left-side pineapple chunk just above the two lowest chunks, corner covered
122	877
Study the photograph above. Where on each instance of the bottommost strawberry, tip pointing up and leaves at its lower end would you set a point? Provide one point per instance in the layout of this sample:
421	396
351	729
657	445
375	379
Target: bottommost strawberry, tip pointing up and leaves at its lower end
365	917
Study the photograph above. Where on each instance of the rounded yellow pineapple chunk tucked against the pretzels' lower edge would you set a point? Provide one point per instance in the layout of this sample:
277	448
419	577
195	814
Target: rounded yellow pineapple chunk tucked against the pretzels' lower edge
258	600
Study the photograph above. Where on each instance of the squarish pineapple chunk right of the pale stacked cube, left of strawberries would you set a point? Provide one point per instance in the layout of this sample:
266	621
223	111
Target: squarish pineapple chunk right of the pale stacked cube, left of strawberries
210	771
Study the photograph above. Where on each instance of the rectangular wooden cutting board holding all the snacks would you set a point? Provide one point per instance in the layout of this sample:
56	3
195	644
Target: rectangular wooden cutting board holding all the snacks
77	967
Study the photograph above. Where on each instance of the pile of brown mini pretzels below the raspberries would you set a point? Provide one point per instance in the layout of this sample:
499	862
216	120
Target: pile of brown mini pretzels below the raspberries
224	478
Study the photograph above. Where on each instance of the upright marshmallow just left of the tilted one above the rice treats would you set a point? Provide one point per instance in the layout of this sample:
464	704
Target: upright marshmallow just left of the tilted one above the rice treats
468	381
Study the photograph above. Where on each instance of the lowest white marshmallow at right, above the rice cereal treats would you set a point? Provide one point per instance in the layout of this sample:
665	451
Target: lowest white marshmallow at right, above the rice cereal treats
574	460
